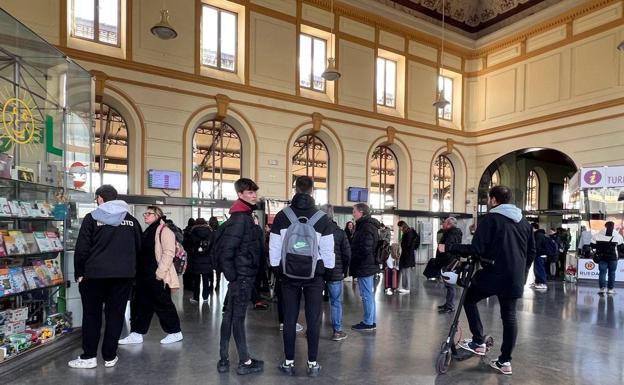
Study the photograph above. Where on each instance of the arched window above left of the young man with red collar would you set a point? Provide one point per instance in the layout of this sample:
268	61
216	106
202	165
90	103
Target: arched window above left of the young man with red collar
216	160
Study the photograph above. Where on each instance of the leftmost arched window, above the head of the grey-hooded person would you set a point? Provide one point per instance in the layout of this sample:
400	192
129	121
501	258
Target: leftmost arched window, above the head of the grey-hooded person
111	148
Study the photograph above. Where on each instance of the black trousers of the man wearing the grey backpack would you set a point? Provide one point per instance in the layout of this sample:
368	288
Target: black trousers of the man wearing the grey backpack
312	290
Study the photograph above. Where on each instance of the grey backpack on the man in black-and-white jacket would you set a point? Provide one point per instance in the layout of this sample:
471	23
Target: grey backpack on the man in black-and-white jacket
300	249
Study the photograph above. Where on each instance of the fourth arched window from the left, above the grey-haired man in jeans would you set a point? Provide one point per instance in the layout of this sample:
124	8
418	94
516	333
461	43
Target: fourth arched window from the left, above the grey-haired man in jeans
384	172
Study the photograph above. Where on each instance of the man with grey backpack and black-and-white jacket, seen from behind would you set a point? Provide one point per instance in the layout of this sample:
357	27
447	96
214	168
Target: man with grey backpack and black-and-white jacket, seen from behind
301	244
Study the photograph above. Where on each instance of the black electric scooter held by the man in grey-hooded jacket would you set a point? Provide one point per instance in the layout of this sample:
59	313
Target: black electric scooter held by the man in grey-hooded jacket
448	350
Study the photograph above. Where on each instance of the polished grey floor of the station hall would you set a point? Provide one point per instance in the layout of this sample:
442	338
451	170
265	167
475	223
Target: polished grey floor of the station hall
568	335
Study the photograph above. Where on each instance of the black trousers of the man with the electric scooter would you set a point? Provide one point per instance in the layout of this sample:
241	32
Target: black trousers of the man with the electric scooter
508	316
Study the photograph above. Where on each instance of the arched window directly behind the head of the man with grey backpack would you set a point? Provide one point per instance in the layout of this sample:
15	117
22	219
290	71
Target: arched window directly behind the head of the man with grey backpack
309	156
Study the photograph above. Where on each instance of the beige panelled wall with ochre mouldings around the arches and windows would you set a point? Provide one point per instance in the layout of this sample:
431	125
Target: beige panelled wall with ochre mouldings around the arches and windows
559	88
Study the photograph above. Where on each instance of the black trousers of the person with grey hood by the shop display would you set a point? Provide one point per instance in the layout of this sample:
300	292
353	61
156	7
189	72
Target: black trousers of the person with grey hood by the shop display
112	295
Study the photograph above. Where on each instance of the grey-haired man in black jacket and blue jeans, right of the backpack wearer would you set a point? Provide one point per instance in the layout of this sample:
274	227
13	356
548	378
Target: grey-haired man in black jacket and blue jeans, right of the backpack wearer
363	265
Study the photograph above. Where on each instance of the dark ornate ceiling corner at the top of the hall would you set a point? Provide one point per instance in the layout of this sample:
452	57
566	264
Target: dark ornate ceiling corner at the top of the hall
472	18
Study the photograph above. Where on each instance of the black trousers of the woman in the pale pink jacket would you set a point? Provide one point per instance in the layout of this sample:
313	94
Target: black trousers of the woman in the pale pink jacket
151	296
